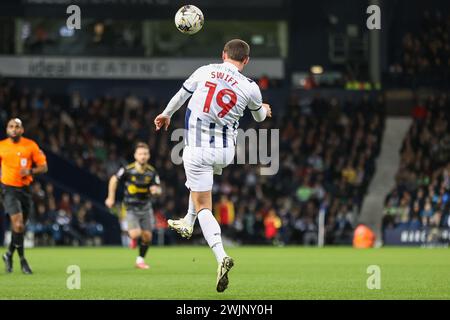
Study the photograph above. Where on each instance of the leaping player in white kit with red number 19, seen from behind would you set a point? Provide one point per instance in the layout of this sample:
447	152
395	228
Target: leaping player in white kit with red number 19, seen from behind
219	95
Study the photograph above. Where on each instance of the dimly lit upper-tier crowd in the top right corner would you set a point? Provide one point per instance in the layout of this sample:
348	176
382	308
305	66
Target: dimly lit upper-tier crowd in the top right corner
425	58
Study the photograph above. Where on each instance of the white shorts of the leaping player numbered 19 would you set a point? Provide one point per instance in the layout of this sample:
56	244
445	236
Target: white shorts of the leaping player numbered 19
201	163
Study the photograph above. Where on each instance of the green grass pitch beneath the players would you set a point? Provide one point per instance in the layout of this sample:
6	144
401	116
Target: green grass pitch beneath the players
259	273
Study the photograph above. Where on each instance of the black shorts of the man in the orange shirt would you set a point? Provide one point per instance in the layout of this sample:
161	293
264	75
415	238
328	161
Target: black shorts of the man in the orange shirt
17	200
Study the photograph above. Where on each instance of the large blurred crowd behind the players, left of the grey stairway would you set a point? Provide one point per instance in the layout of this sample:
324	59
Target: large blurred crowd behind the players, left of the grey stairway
328	149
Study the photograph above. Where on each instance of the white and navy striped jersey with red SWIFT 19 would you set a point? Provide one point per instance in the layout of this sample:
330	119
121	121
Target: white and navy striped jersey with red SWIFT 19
220	94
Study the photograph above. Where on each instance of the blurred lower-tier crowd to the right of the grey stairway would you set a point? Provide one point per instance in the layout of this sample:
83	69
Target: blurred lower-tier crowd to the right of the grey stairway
421	197
